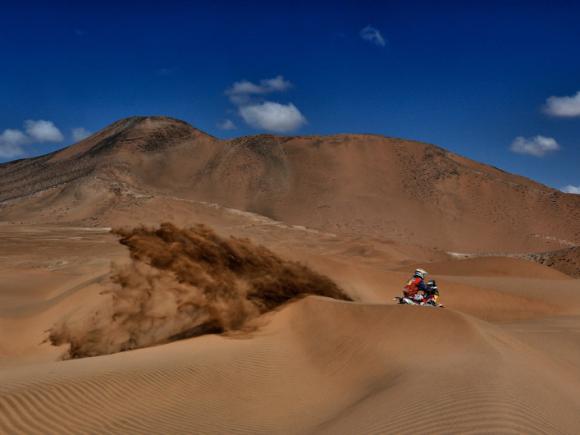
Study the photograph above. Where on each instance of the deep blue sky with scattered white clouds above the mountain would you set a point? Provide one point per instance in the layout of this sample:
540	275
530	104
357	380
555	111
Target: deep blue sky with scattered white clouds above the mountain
472	79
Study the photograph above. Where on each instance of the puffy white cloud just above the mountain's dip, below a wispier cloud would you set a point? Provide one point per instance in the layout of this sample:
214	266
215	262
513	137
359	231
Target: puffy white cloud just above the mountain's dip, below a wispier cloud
271	116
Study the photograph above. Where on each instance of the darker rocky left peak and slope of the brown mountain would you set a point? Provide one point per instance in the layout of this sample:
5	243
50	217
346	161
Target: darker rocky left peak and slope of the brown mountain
111	153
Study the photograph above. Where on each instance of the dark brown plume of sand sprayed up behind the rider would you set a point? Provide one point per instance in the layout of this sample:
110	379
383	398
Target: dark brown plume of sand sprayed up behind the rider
183	283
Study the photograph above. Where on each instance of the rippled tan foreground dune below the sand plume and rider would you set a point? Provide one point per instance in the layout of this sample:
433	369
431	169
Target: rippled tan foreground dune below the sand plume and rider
319	366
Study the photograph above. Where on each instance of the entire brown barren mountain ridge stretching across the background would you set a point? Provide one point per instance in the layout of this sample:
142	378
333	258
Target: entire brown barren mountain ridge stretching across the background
366	185
